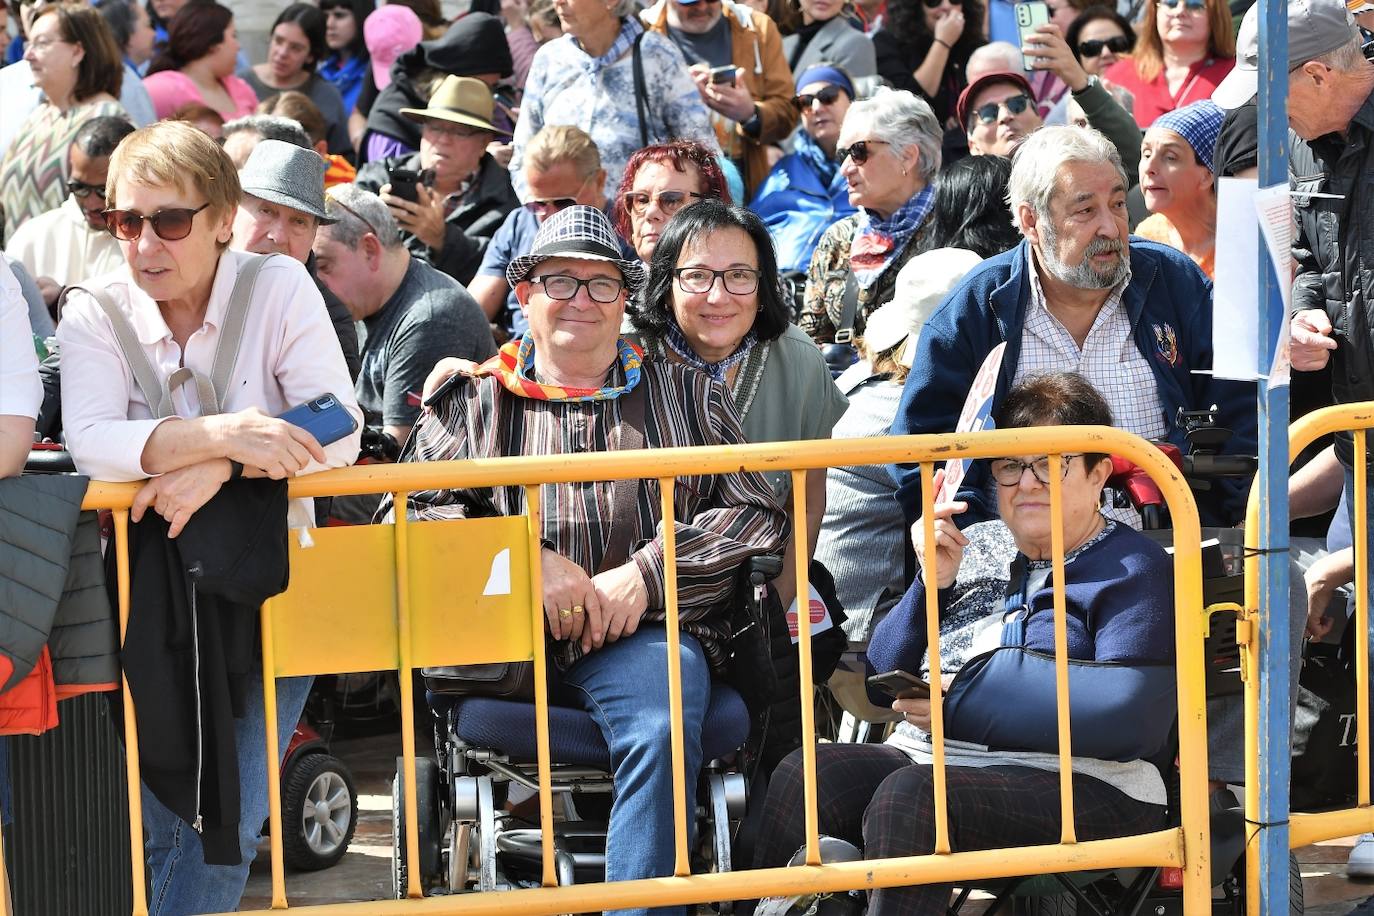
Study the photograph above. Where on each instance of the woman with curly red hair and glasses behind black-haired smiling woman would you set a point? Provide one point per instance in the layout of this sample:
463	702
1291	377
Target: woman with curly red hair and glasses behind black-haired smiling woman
662	181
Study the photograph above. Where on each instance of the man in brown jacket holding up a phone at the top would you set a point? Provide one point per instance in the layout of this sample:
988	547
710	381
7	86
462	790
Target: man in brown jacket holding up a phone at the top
752	106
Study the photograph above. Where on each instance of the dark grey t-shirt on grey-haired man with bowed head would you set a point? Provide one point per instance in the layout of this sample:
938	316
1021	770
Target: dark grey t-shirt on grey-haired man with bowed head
428	318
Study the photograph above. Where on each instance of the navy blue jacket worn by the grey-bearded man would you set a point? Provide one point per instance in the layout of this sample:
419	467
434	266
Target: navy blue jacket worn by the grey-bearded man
1170	307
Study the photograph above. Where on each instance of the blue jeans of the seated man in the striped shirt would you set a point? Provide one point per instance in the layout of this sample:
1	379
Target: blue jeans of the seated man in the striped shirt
624	687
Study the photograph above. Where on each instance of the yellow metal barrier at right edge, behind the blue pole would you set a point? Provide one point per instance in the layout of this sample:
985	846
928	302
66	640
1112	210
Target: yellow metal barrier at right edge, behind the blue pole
1306	829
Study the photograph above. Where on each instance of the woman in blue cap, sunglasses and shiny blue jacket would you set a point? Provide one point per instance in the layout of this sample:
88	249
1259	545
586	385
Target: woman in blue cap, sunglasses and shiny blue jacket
804	194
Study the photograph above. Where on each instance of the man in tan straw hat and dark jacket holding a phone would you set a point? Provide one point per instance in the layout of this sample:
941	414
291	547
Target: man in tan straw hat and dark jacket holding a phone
462	196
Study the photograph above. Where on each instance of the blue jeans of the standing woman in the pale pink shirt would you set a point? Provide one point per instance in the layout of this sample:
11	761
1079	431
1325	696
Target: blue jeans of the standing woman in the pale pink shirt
182	882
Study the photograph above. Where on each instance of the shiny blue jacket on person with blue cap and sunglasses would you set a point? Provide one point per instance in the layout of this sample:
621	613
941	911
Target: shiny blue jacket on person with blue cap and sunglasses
802	198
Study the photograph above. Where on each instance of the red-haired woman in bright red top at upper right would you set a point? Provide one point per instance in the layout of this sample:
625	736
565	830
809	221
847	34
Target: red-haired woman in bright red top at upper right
1182	54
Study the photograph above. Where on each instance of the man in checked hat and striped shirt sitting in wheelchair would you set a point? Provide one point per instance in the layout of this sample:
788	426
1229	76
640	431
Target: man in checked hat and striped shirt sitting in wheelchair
574	385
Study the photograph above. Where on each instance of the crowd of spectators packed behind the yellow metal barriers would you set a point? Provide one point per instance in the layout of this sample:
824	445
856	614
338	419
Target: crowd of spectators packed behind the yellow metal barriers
693	223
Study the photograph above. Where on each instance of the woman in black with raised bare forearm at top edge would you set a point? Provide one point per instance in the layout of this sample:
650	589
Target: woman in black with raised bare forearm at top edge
925	50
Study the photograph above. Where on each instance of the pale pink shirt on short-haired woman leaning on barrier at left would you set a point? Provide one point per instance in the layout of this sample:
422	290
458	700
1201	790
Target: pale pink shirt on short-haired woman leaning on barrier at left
288	356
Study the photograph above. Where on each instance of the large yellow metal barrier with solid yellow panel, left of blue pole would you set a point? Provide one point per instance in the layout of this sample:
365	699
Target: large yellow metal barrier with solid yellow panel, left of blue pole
362	613
